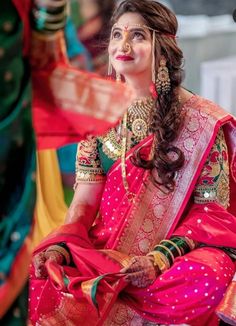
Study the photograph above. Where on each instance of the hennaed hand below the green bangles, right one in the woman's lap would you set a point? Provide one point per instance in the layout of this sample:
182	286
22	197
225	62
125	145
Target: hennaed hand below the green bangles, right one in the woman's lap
141	272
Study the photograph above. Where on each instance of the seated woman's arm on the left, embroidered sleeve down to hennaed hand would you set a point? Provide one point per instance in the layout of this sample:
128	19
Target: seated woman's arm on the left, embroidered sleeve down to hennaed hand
90	180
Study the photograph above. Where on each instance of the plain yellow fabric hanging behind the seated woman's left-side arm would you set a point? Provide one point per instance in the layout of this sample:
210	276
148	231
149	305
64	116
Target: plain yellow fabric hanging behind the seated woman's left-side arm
50	208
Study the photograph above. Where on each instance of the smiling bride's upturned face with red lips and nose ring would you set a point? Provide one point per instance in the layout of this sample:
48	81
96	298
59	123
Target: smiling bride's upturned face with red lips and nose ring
130	47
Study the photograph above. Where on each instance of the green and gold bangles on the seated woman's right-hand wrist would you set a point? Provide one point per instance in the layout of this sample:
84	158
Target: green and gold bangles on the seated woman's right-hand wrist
167	250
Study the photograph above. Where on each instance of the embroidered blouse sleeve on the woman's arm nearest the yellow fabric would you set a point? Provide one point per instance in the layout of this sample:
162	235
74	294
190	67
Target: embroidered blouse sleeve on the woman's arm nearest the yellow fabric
88	166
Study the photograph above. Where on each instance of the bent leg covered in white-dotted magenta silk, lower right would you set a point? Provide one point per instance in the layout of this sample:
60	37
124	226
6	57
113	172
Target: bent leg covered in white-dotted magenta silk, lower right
190	290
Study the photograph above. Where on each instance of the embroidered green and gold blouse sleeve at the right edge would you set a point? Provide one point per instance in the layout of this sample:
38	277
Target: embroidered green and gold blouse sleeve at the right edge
213	183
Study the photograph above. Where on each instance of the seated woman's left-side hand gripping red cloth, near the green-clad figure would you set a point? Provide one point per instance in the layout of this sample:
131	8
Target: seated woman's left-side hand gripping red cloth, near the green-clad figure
40	259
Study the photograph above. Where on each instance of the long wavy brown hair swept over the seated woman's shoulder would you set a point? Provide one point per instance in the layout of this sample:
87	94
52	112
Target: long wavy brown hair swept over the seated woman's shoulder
167	117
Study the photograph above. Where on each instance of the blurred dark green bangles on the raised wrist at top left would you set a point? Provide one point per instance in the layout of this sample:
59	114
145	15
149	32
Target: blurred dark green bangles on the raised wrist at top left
49	16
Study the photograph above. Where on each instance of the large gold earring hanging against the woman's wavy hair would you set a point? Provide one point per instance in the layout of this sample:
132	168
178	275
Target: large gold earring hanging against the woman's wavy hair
163	78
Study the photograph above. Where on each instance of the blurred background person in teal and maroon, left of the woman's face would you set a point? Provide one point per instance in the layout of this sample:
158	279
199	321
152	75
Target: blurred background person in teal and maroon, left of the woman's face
90	18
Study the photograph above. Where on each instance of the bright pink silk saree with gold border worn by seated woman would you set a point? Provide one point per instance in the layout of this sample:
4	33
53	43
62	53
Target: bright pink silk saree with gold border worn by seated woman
93	291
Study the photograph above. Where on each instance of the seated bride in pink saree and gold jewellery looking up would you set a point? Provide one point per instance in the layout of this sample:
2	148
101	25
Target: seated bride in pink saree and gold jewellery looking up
149	235
